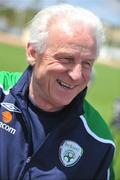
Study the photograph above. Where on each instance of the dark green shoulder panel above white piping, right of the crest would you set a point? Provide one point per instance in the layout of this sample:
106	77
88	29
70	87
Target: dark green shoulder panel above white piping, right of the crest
95	122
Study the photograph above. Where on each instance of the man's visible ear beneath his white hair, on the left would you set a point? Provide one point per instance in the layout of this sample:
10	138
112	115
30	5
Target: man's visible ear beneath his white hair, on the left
31	54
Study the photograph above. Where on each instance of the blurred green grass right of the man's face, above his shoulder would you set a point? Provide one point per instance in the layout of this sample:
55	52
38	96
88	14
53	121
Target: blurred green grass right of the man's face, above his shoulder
105	89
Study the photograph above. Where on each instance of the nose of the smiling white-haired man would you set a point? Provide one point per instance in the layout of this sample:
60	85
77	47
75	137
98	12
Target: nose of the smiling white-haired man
75	72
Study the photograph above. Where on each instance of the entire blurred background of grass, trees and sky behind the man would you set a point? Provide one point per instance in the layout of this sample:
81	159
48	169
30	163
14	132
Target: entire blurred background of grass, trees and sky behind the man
104	91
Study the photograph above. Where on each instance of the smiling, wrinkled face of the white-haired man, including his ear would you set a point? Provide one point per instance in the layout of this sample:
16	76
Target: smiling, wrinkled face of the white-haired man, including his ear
64	69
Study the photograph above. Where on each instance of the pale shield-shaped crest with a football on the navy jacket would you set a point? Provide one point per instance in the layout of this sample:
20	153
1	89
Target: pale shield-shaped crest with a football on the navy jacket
70	153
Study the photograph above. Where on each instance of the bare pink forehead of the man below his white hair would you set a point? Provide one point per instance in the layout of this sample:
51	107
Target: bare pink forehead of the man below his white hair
69	34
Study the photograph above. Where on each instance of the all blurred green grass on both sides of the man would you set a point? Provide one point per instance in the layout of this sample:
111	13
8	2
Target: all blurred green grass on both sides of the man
104	90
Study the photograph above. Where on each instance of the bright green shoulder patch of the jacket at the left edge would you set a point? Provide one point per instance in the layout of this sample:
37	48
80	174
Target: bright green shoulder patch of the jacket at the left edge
8	79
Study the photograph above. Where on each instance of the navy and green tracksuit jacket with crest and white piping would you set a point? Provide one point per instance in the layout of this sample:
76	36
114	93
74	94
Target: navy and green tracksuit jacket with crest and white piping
79	147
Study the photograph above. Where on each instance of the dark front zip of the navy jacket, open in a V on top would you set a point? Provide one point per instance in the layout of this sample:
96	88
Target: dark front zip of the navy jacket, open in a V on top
31	156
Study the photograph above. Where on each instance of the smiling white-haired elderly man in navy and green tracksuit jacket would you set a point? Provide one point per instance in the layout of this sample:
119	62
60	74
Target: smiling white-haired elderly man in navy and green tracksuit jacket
48	130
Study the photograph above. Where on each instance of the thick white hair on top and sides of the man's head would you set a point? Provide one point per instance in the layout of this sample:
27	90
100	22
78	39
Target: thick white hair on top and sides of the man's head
39	27
